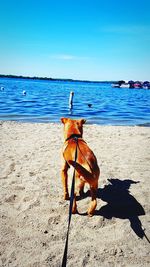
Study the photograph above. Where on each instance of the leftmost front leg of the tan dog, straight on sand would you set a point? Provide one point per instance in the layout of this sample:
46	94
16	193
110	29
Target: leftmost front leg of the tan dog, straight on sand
64	177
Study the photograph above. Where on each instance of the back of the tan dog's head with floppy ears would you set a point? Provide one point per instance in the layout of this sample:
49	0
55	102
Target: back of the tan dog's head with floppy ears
72	127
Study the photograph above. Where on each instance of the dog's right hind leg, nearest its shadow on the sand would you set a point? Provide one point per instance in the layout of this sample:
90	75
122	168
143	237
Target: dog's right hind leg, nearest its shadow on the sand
93	203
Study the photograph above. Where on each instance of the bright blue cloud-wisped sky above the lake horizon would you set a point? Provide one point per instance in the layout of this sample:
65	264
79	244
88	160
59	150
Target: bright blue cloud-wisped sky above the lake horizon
95	40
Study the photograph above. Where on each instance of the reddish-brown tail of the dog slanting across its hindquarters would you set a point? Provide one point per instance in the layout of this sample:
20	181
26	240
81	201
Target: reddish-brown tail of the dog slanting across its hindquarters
88	176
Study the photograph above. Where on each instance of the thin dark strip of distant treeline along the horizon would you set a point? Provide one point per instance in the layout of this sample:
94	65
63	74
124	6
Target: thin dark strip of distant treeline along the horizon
49	79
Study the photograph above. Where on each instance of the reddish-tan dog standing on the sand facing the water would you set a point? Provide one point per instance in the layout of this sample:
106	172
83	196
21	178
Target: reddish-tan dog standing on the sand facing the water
87	170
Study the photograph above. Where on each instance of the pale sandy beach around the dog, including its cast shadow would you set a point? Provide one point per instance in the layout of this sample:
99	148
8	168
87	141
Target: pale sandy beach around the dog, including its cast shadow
34	216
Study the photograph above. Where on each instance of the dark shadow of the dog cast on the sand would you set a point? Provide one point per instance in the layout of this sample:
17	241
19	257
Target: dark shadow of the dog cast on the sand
121	204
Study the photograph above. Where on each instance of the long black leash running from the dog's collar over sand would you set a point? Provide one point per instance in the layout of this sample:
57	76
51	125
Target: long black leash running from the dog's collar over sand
64	261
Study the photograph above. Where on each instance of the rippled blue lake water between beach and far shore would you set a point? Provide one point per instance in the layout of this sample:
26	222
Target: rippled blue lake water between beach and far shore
47	101
